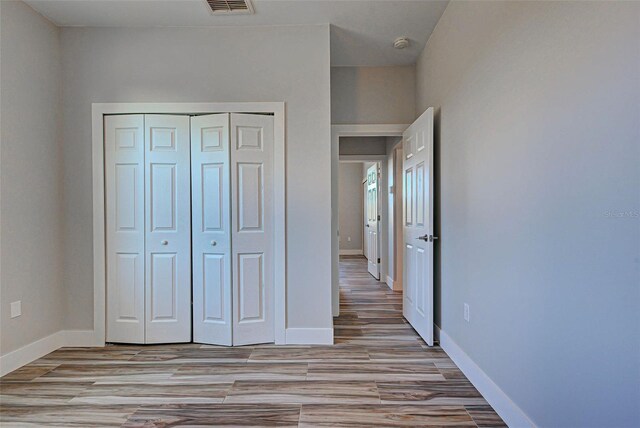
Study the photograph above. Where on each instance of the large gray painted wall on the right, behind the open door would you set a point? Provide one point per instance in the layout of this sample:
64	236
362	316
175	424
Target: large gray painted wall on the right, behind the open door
538	140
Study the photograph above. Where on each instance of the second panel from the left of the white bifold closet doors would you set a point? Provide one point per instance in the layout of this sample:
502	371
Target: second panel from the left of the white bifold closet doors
168	229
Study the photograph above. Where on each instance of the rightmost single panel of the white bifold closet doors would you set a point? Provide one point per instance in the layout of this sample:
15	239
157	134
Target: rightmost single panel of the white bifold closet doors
252	228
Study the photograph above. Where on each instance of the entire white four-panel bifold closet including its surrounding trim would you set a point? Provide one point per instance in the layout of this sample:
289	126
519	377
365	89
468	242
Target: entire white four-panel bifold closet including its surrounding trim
189	223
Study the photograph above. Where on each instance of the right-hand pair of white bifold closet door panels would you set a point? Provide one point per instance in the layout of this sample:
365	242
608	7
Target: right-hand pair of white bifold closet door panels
232	175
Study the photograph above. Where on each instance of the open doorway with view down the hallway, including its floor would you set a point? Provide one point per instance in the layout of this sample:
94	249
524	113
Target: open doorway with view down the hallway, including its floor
370	241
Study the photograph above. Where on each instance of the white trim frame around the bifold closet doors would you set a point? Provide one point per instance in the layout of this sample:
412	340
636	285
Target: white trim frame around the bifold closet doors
98	110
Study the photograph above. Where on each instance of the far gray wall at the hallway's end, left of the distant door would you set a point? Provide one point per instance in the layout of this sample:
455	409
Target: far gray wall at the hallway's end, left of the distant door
351	211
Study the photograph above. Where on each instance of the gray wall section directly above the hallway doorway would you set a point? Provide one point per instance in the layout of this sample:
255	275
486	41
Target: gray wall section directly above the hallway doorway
372	94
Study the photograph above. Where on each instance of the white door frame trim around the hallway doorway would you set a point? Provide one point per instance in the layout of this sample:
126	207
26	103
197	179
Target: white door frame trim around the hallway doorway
337	131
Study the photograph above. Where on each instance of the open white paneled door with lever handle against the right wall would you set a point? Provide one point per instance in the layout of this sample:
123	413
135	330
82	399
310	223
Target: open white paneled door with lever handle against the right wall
418	225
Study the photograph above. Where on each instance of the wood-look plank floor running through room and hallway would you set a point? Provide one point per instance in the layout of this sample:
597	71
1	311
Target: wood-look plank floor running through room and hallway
379	373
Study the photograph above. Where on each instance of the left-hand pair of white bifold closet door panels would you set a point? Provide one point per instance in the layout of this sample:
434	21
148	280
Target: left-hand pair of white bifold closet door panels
148	215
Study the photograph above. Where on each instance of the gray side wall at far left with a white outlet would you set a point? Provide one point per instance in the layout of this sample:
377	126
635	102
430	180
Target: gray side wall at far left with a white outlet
31	177
